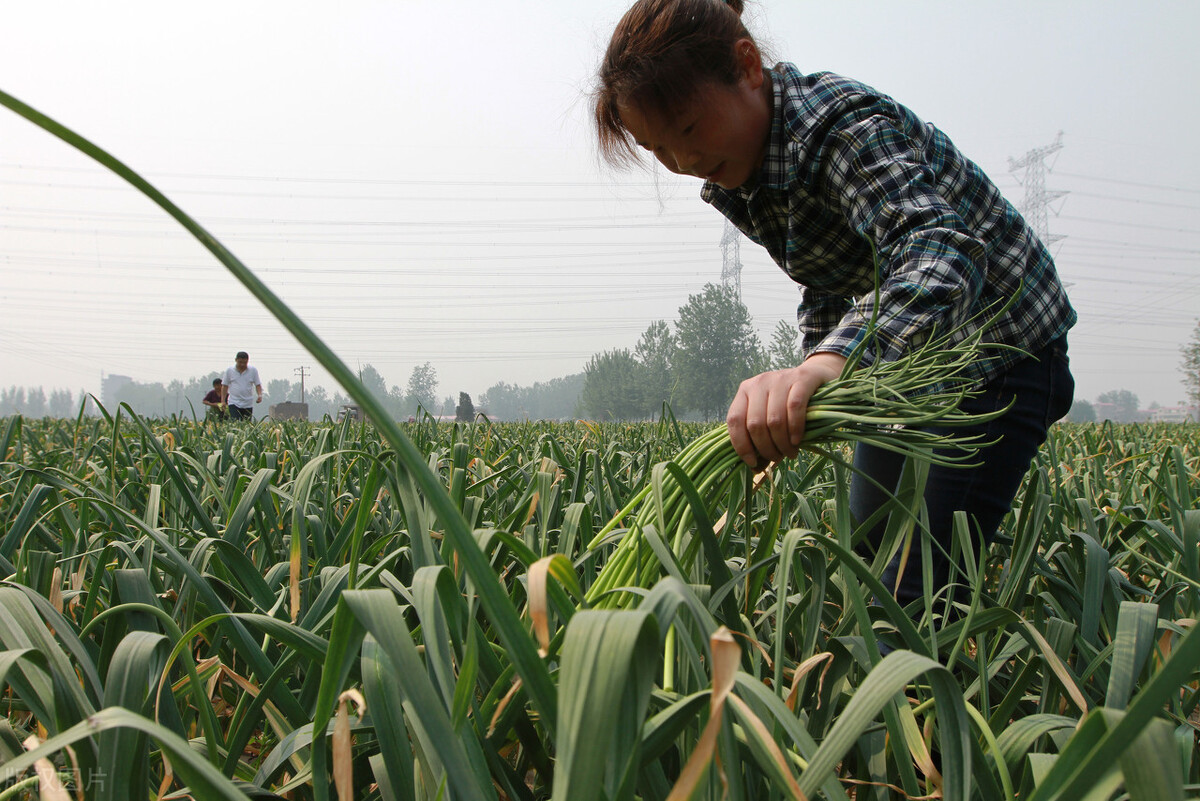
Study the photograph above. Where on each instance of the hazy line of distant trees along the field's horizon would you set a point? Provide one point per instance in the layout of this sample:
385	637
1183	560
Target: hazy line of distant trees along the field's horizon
694	366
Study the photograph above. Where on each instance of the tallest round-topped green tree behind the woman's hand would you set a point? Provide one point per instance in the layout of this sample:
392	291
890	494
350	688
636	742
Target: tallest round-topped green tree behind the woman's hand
717	350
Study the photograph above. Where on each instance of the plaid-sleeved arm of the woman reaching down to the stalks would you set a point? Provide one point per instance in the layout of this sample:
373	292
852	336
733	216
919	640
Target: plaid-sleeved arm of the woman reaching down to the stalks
932	267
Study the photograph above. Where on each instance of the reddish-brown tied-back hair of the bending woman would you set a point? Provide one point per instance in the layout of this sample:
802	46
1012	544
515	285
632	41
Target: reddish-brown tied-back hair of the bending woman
659	55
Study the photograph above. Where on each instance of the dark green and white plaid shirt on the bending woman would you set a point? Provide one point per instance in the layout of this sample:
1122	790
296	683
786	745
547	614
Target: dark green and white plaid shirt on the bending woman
850	173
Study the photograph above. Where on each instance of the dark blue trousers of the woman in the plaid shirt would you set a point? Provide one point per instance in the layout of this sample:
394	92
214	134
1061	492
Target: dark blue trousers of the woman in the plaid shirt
1041	389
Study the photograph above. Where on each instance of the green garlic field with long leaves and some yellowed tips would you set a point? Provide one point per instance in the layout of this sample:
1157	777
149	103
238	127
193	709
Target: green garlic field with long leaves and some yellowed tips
301	611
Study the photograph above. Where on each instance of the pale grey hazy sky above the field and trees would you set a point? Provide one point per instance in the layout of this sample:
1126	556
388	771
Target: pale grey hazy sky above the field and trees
419	182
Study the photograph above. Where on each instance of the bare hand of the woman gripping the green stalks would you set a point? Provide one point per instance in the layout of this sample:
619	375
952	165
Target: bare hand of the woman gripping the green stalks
766	419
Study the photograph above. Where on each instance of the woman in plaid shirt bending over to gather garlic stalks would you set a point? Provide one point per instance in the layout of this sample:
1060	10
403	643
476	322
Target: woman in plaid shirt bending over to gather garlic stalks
849	191
